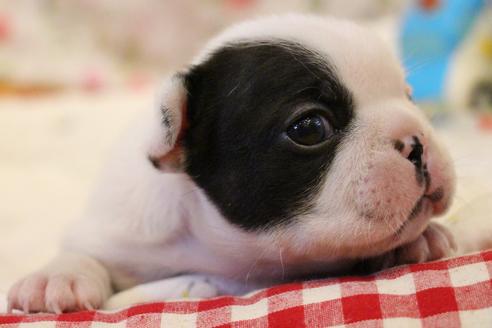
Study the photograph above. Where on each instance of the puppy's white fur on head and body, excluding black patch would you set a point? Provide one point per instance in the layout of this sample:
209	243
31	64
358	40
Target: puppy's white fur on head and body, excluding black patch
143	225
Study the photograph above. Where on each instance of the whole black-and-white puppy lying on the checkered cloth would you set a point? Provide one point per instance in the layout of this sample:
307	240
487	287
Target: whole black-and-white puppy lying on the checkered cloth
289	148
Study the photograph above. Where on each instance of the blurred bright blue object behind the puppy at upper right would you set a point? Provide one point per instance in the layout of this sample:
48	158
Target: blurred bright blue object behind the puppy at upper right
431	33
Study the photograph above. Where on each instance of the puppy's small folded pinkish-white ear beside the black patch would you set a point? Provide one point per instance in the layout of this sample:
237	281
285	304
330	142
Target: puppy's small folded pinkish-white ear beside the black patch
168	126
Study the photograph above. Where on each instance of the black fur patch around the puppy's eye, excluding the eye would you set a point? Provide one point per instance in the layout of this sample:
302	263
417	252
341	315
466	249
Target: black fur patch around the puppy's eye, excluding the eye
239	104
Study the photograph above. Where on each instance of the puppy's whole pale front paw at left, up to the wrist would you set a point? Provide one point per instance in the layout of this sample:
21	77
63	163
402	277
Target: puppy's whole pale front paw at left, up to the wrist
70	282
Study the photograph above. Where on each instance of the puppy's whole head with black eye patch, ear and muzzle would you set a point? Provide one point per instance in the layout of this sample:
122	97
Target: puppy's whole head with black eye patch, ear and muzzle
300	129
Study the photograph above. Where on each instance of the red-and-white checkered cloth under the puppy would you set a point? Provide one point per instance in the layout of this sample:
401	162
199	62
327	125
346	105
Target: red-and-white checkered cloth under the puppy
450	293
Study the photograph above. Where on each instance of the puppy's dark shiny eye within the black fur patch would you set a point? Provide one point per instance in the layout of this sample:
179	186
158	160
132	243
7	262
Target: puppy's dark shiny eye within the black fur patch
309	130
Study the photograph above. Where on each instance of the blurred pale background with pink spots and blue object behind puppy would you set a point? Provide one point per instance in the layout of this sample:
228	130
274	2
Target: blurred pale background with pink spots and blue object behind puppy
74	73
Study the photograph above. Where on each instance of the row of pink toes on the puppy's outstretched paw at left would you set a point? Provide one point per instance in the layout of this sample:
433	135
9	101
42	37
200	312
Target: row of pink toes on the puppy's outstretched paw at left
61	292
